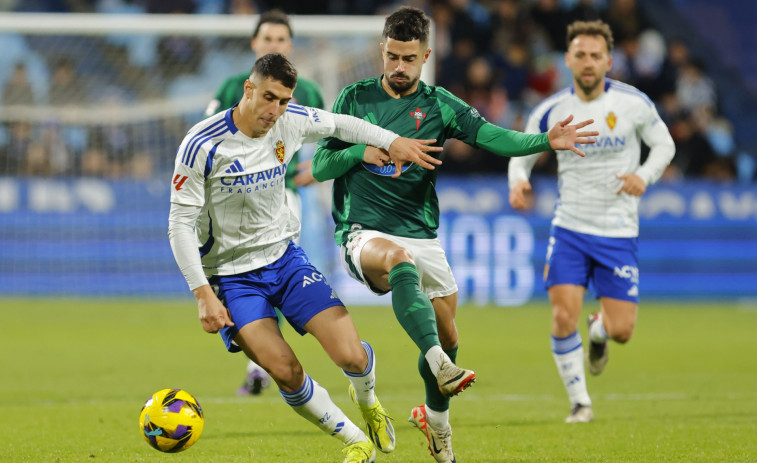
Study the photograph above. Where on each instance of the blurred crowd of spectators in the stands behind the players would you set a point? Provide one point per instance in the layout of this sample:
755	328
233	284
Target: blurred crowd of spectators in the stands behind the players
501	56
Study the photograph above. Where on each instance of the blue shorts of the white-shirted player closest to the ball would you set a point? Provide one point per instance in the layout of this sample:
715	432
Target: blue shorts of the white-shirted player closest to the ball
292	284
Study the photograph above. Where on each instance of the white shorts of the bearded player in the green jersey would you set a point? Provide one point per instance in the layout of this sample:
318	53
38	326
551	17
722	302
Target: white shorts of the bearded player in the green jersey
435	274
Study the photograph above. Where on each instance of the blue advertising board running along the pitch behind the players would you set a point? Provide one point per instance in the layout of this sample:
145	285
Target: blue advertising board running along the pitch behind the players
108	238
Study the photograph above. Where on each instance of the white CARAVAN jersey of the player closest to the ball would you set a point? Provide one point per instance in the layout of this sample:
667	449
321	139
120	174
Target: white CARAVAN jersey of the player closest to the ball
238	182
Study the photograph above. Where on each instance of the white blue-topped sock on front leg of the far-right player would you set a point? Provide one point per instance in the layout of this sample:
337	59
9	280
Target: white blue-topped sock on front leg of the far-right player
569	357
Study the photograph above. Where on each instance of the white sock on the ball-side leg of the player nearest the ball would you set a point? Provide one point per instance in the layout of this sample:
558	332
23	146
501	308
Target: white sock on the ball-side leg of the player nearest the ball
313	403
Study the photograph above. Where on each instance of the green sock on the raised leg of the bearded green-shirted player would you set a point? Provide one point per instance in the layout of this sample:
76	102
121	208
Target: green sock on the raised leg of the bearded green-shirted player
412	307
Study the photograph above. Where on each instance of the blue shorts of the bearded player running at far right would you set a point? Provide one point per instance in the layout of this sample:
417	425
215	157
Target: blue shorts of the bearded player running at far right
609	265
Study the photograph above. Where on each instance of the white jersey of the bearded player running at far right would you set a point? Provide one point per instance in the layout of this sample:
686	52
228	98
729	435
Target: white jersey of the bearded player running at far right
588	187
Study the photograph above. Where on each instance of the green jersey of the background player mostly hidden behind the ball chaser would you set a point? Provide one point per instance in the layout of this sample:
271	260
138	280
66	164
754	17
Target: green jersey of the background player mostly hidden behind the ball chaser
307	93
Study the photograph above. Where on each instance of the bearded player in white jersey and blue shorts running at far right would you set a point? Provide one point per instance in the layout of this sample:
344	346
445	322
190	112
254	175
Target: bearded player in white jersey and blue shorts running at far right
595	230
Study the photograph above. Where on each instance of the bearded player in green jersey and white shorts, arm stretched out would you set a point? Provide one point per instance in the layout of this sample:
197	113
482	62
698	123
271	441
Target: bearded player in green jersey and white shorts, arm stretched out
387	226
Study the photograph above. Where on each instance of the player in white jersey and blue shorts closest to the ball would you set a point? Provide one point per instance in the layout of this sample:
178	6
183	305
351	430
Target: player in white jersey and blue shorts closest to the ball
228	200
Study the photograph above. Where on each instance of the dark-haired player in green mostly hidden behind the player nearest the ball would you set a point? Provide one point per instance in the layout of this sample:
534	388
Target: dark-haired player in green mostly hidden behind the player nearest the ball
273	34
